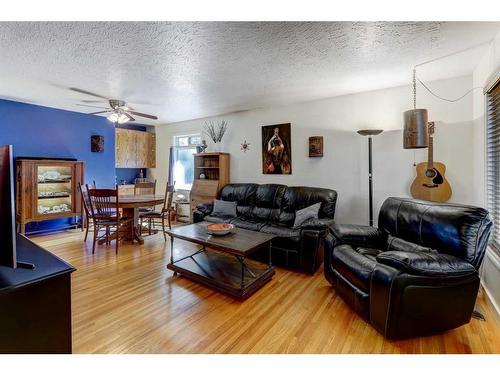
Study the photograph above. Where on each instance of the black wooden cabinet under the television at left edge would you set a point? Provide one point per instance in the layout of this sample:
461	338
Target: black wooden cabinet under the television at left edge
35	305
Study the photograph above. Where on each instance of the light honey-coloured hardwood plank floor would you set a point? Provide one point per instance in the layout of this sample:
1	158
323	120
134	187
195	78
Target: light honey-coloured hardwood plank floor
131	303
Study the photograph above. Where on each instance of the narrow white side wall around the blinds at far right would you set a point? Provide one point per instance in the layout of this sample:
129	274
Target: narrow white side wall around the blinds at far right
483	74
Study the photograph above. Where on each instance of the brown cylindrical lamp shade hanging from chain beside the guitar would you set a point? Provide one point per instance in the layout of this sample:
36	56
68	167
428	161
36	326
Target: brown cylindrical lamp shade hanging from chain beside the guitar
416	130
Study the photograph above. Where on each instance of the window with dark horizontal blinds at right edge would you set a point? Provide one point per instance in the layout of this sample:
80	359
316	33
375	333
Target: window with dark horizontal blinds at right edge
493	161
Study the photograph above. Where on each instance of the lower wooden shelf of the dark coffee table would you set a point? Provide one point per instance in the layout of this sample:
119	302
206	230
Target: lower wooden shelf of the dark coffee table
222	272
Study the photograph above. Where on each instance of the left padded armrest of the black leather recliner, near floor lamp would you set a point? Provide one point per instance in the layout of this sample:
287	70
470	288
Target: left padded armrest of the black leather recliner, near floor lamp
358	235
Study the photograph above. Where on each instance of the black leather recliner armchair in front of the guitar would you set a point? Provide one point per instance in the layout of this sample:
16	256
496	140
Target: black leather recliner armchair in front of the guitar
417	273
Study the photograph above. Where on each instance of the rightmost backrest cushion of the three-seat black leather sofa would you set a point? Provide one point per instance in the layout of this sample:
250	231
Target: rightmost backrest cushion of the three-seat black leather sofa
298	197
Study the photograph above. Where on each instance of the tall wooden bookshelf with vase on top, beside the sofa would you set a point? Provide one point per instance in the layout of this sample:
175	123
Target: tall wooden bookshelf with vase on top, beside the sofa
214	166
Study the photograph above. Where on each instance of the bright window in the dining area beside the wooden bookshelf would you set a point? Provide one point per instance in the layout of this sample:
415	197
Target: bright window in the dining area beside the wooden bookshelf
184	148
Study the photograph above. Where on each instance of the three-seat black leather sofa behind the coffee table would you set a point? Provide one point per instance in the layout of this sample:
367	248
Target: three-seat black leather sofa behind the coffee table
270	208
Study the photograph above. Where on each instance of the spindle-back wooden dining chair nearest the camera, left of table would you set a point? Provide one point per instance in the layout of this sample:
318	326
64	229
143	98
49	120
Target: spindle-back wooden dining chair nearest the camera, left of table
105	215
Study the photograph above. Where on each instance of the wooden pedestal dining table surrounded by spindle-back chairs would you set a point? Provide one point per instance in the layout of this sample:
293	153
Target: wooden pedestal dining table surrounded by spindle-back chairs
130	204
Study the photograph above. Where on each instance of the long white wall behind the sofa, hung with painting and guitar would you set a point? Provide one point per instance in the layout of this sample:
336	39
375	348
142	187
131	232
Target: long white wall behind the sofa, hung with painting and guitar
344	166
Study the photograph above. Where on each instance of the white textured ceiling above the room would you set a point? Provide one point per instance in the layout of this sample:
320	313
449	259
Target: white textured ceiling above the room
185	70
